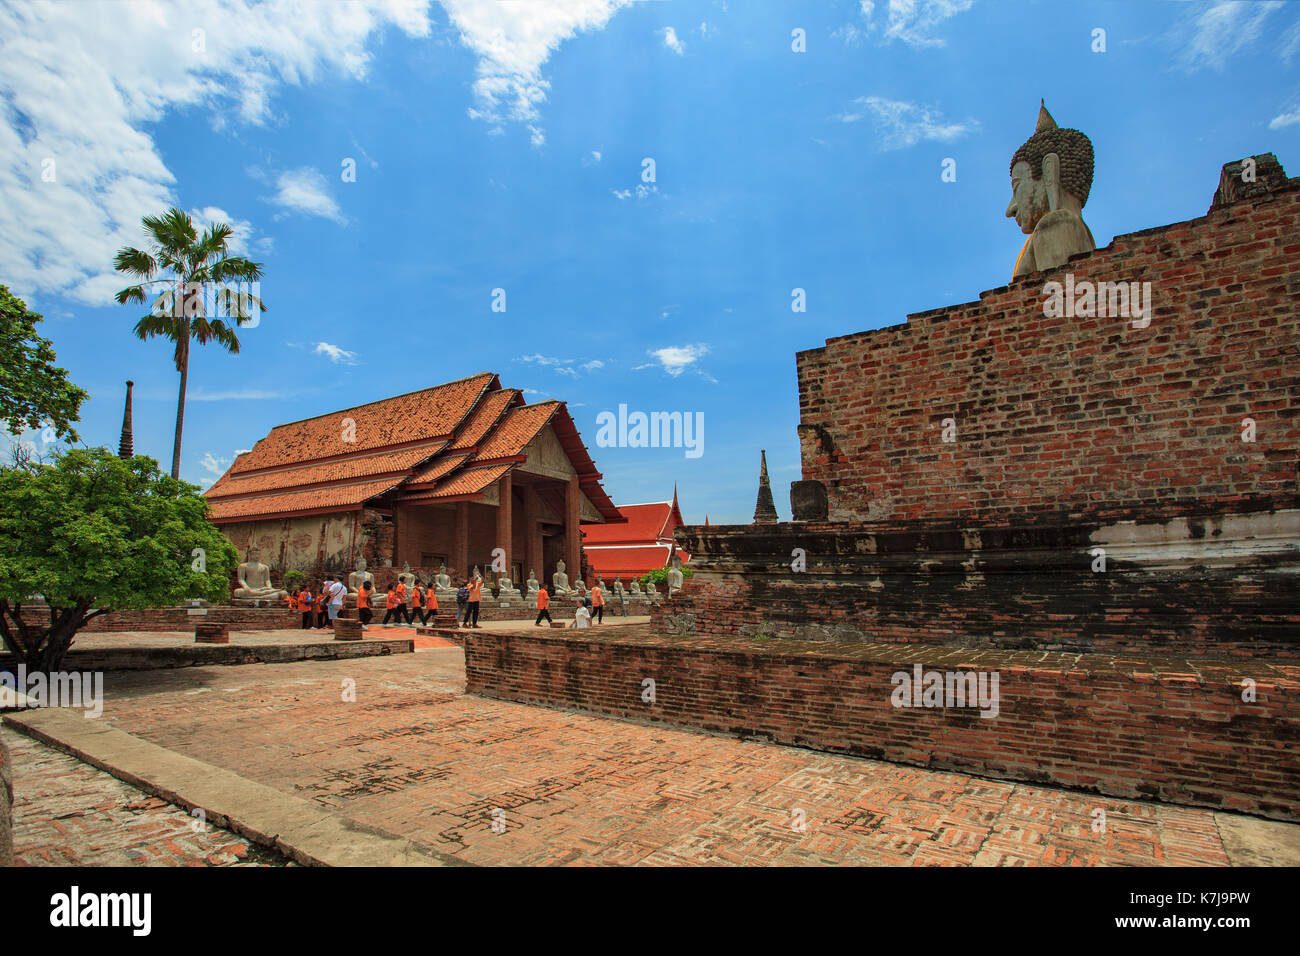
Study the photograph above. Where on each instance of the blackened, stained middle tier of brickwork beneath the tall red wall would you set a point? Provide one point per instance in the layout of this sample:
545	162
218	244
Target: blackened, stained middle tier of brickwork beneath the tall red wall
1214	589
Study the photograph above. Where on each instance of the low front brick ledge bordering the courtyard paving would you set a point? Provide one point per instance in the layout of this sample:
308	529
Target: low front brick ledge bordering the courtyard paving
1177	733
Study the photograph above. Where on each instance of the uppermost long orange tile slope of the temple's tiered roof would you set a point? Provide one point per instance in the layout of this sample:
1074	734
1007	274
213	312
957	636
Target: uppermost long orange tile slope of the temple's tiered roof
414	417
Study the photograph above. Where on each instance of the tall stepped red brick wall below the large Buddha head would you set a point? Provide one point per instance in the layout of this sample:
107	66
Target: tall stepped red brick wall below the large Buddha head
1078	416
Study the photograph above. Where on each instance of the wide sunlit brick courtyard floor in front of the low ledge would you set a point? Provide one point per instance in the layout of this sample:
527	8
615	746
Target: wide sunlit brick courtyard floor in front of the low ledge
417	756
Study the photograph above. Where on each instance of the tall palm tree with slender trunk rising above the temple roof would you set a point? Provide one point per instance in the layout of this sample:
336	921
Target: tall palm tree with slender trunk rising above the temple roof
184	262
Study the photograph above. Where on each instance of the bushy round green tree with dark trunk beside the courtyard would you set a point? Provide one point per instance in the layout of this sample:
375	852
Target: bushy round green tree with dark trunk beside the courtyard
94	534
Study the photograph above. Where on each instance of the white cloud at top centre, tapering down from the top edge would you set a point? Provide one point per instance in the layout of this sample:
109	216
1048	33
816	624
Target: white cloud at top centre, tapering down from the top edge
514	41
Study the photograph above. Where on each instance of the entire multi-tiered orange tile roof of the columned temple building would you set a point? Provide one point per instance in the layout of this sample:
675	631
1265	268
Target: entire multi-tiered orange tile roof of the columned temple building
445	443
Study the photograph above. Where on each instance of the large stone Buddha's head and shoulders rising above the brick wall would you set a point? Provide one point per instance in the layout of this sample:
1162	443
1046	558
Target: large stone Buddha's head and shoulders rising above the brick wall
1051	180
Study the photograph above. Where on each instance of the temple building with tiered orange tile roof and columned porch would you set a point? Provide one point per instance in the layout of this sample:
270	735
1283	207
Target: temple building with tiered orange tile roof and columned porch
440	477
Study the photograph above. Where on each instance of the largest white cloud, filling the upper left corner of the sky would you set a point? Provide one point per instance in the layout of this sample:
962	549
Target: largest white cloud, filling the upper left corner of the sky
77	89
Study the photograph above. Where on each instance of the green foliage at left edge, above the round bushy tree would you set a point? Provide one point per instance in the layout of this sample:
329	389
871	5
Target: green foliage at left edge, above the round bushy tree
33	391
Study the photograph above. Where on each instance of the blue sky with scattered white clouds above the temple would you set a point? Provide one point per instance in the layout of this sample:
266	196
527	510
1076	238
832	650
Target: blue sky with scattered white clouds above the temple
502	146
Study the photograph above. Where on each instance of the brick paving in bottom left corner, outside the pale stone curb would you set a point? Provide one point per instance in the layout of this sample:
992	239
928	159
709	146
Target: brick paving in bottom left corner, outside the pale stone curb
68	814
